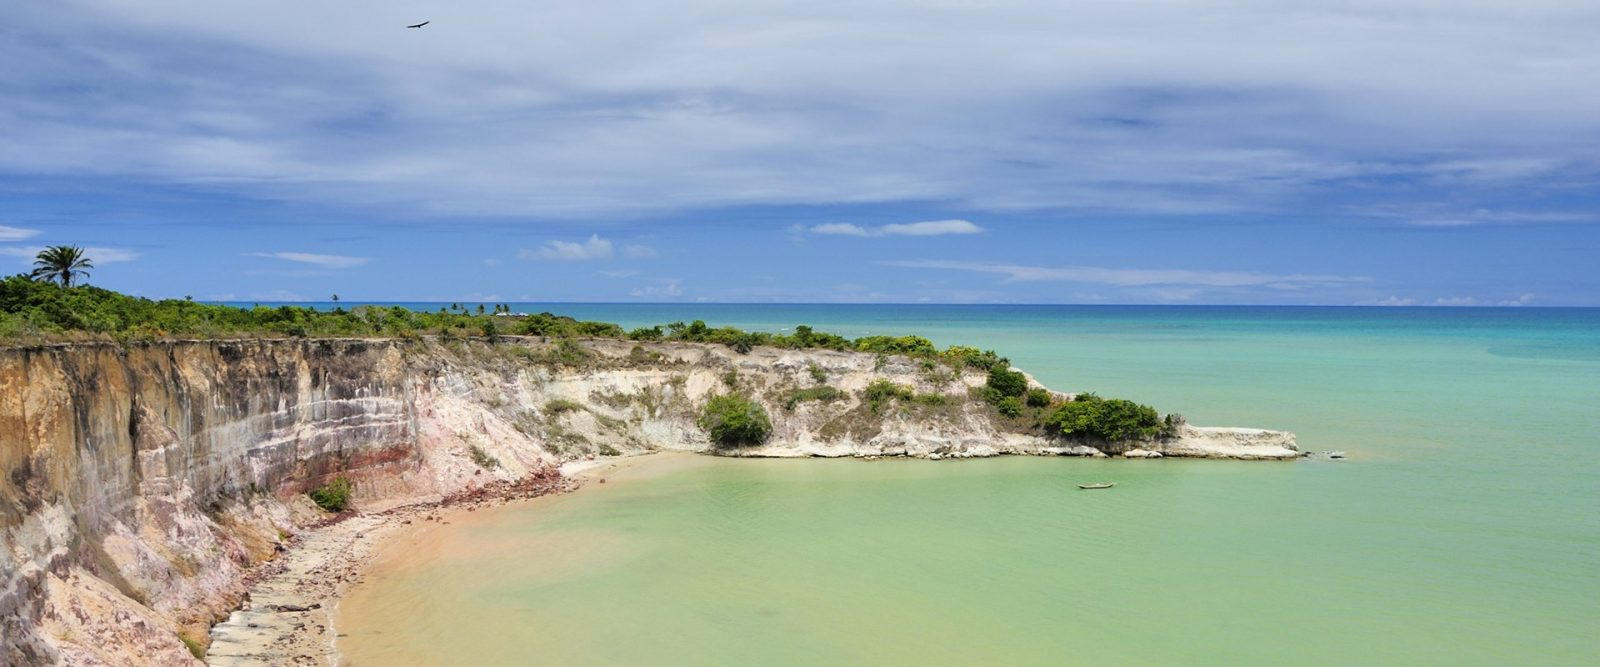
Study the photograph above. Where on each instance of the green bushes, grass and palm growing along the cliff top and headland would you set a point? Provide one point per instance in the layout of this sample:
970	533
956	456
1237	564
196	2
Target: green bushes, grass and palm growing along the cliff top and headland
41	311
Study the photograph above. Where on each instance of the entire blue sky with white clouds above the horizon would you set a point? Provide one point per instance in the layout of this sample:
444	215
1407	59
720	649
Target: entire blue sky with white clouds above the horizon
1390	153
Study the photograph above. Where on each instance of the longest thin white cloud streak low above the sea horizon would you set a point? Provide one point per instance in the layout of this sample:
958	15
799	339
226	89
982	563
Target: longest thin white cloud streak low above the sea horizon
1137	278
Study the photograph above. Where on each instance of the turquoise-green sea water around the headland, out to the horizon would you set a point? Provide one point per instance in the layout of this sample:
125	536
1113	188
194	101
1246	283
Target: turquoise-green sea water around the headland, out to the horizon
1463	529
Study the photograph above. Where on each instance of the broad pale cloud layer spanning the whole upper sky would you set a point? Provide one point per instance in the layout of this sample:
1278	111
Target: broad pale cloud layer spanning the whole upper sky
526	110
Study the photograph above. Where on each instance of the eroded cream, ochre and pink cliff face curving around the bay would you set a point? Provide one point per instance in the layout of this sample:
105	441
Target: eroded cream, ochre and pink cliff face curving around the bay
142	484
